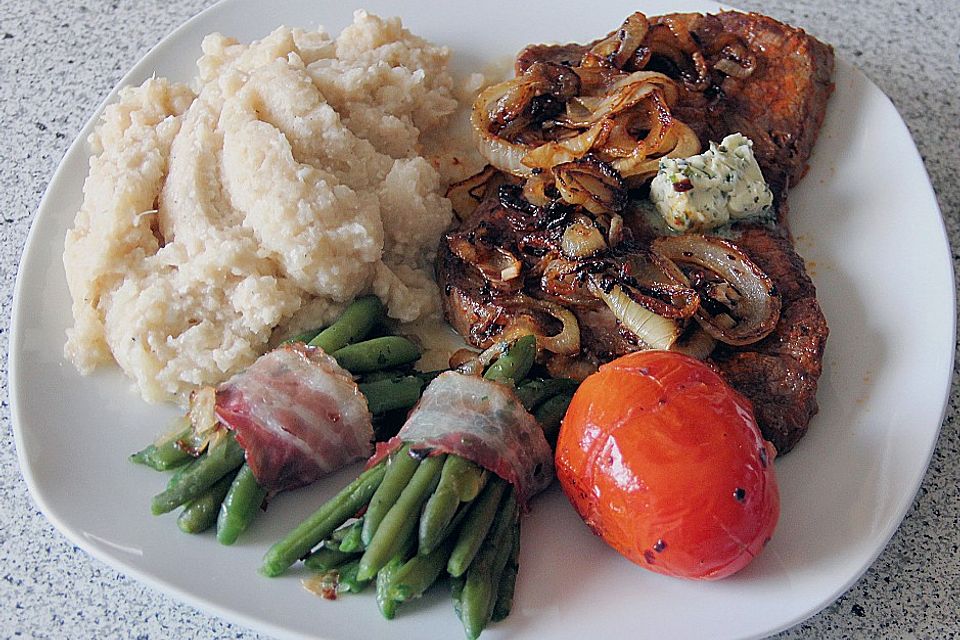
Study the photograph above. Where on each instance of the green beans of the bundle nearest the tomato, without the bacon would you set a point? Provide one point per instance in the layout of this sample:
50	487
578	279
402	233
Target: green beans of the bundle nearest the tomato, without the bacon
430	514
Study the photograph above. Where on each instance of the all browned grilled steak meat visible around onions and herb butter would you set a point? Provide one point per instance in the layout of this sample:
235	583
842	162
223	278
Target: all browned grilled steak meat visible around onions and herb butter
780	105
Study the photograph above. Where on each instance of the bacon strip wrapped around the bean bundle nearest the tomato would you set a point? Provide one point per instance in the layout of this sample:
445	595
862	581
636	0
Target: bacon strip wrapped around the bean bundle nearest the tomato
485	423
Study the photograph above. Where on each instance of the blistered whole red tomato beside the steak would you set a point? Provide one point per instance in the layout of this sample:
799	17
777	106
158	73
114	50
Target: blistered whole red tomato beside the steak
665	462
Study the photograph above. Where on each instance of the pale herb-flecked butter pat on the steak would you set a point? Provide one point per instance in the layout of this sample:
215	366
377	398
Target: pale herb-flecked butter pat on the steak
708	190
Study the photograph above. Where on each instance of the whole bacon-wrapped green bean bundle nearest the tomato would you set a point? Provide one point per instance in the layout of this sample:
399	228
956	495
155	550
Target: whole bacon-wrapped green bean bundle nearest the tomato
451	487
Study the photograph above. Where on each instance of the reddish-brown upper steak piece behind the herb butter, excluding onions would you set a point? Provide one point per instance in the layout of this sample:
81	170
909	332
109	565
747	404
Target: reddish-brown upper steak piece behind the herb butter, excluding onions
780	105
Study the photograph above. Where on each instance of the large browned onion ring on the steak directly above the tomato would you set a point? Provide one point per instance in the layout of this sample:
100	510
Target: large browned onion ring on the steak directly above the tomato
738	302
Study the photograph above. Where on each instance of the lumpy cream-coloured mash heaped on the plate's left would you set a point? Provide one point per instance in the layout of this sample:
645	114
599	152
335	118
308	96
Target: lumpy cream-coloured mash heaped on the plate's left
289	179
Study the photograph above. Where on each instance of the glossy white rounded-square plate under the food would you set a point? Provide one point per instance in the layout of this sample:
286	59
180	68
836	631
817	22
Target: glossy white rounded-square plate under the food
867	222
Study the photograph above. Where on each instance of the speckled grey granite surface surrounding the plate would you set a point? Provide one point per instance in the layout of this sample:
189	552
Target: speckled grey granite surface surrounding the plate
59	59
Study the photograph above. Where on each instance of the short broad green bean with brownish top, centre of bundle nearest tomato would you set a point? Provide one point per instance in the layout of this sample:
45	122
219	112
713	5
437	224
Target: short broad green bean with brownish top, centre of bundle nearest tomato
459	476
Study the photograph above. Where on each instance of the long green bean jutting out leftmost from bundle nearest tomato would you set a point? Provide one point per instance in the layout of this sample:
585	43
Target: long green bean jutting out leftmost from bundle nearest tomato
323	522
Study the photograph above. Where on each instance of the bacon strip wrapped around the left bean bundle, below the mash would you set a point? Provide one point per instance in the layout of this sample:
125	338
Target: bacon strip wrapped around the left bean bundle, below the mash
298	414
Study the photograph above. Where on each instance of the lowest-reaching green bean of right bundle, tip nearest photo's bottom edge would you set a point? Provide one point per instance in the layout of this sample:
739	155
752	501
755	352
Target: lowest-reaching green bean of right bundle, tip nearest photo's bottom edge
483	577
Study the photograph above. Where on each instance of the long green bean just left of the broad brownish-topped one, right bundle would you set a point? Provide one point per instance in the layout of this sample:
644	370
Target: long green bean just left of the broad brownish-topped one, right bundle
399	525
